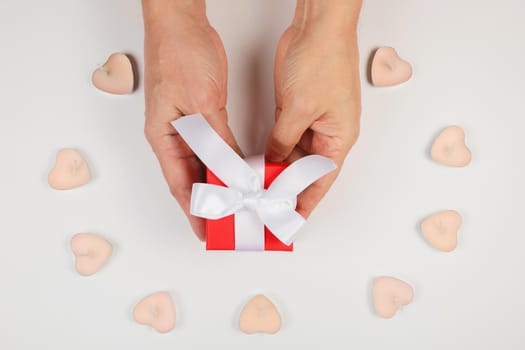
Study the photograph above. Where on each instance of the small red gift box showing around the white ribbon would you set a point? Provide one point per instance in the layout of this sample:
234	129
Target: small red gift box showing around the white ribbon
220	234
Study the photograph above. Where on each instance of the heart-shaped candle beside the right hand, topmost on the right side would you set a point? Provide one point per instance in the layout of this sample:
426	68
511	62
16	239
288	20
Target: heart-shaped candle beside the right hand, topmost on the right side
388	68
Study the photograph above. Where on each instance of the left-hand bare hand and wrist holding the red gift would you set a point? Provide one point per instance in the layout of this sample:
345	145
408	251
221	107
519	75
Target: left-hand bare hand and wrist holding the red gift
185	73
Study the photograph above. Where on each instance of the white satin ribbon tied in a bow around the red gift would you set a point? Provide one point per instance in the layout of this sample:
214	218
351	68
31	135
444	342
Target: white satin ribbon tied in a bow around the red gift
245	195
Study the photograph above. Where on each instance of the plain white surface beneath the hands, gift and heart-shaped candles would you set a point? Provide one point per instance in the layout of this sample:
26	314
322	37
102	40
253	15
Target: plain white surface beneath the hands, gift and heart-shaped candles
468	70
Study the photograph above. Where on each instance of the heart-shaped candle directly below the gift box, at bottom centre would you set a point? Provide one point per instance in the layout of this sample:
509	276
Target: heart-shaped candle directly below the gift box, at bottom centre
260	315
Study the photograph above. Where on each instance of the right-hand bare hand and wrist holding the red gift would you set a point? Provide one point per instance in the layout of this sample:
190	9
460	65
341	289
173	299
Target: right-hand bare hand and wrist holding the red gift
317	90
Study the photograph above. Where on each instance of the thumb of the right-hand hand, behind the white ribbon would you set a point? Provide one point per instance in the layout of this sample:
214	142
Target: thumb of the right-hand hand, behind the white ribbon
286	133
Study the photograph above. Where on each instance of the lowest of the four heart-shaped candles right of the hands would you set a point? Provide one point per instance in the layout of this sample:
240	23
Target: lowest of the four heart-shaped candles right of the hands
390	294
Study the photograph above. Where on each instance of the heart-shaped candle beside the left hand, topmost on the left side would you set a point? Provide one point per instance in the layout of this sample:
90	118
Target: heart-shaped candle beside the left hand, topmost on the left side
115	76
